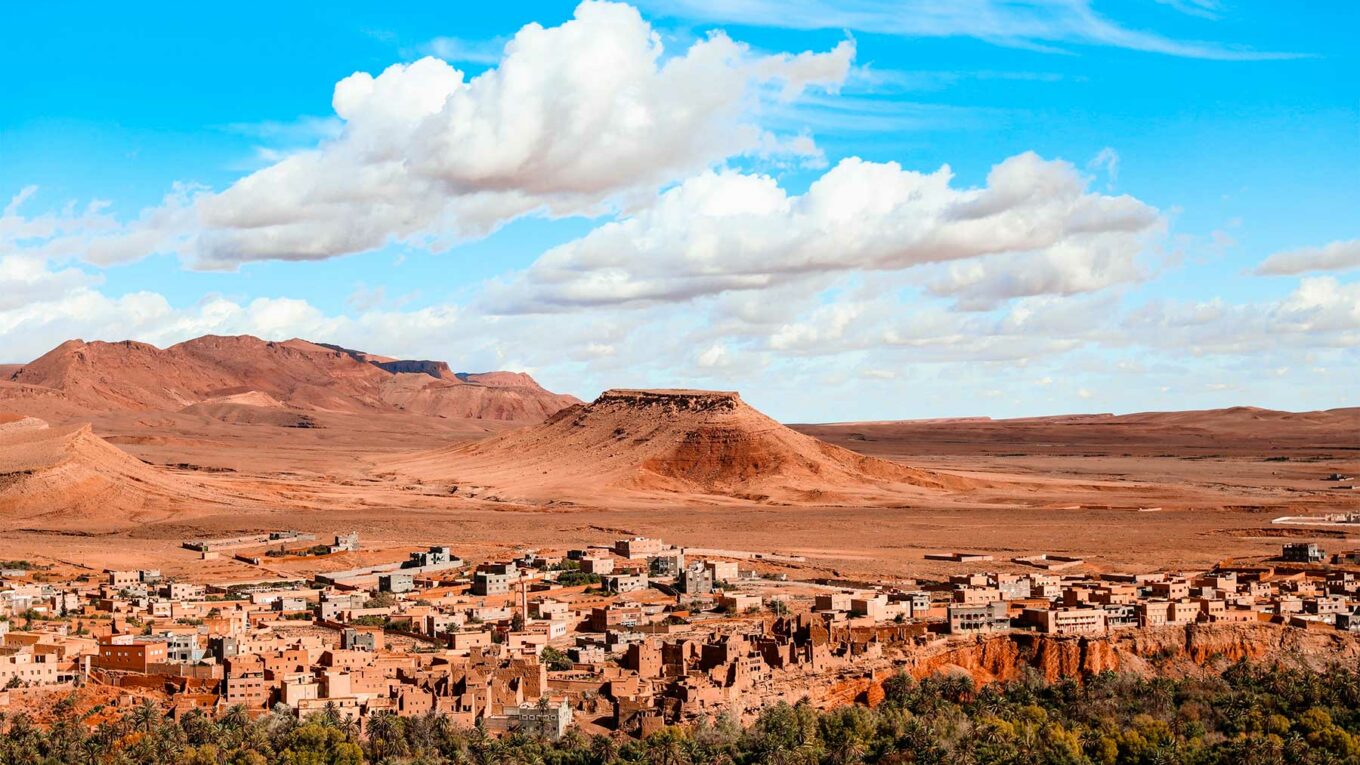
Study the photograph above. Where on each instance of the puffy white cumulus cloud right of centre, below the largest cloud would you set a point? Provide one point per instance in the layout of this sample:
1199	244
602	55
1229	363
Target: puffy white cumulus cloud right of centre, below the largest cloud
726	232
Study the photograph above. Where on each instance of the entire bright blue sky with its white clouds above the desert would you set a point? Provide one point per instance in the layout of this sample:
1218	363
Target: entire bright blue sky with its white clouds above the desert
1178	148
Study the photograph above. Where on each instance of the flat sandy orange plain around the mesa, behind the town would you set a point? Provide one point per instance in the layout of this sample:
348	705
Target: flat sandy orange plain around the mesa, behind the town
1124	500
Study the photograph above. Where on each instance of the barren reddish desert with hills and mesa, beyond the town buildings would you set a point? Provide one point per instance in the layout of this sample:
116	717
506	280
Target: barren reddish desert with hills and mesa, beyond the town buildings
148	447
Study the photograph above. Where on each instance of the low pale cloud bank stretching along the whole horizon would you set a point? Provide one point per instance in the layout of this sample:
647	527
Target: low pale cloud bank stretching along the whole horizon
852	330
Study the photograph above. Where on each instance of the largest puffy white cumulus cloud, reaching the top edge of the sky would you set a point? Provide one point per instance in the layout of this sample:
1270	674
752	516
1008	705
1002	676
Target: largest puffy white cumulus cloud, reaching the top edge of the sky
576	119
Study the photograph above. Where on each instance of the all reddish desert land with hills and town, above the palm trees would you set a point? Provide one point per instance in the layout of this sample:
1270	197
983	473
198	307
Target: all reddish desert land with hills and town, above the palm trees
180	500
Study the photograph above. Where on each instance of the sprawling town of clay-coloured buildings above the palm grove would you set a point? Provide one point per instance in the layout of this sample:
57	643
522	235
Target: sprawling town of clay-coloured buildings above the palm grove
618	639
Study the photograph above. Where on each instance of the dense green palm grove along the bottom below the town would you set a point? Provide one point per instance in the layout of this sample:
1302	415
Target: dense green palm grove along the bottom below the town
1252	714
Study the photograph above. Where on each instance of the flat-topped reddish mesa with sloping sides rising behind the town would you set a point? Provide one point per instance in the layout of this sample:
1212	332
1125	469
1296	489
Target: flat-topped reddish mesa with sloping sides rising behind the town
701	443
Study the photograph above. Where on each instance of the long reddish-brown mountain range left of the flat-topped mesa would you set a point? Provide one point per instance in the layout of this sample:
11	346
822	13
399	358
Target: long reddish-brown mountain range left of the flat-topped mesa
225	374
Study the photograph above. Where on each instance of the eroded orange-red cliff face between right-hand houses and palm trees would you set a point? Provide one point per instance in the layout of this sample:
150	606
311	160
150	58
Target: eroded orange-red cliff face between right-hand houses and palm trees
1177	651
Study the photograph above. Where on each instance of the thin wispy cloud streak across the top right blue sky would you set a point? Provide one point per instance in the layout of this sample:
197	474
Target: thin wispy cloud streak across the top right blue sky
1040	25
